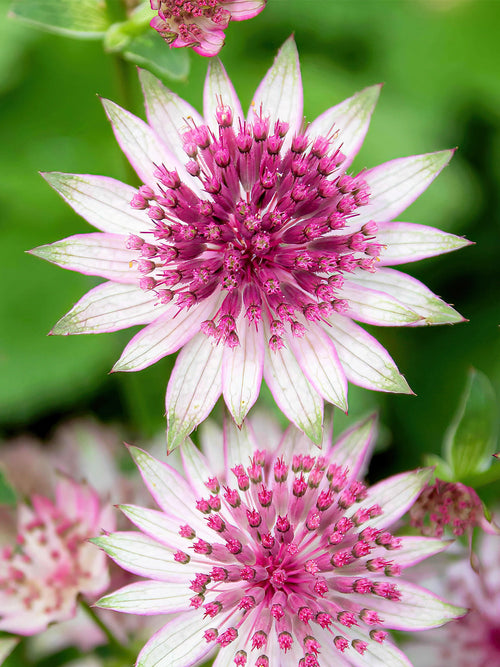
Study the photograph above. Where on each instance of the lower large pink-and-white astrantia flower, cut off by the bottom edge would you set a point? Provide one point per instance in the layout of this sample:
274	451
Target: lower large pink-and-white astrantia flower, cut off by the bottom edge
283	557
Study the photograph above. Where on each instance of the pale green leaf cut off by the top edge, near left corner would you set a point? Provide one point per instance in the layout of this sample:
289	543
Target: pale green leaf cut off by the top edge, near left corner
84	19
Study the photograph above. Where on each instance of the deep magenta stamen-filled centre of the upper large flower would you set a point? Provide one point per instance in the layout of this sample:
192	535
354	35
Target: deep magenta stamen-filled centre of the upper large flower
272	235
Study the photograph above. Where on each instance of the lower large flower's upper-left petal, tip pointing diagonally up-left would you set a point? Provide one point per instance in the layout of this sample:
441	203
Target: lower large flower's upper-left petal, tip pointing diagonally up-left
170	491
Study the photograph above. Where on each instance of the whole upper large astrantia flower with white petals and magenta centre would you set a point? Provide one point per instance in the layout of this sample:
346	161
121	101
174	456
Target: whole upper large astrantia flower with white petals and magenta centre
250	247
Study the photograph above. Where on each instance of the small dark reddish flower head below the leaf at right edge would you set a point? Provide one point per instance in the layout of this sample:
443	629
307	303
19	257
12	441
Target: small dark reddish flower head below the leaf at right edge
449	504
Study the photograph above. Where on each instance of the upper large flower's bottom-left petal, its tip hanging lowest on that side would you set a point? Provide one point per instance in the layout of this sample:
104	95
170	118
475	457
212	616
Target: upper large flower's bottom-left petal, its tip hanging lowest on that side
193	388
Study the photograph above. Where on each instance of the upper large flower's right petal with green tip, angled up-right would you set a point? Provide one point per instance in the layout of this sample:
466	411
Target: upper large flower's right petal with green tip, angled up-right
396	184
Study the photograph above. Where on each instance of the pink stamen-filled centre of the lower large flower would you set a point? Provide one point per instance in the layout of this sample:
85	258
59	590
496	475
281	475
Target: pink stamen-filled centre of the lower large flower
293	553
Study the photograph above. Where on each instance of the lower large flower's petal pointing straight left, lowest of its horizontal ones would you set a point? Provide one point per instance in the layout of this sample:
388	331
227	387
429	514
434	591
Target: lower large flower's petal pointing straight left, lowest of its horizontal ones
147	598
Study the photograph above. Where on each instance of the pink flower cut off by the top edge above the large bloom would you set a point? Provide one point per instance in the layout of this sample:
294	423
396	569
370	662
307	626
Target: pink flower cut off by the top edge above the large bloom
200	23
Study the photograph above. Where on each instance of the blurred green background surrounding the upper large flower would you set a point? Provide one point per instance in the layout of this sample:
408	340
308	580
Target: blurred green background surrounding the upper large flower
440	62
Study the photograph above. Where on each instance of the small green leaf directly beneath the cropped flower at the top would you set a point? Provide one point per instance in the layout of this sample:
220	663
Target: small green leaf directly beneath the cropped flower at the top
148	50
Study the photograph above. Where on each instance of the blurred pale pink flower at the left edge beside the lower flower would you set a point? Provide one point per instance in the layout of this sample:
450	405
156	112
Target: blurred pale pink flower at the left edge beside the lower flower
53	561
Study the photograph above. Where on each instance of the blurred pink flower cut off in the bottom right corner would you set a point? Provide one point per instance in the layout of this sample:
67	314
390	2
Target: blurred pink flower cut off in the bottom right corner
475	638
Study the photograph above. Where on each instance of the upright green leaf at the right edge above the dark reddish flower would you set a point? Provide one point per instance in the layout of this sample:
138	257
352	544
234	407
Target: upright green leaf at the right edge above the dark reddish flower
470	441
